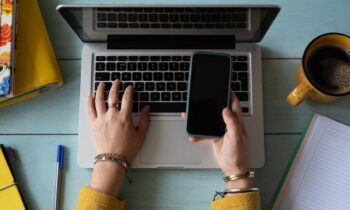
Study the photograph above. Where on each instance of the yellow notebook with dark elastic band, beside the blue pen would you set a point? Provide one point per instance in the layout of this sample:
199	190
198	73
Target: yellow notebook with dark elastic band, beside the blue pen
10	197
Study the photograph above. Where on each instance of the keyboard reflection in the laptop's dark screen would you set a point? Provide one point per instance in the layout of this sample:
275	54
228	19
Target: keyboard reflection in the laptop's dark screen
171	18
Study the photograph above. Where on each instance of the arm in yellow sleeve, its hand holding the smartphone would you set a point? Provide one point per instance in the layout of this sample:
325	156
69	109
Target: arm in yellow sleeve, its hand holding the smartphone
231	152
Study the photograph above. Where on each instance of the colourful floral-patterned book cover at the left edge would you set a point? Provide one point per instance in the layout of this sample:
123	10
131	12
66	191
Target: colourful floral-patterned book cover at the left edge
7	45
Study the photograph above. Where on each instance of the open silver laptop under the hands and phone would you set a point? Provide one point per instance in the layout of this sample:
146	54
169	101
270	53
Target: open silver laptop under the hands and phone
150	47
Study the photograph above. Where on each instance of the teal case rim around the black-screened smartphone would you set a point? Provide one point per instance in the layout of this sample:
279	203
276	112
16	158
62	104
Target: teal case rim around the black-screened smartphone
189	90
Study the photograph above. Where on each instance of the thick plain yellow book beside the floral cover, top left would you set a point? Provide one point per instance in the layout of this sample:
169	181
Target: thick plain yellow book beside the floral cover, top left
36	66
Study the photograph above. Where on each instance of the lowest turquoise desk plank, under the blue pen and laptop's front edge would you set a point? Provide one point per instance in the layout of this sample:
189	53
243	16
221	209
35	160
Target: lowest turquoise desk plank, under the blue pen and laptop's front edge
151	189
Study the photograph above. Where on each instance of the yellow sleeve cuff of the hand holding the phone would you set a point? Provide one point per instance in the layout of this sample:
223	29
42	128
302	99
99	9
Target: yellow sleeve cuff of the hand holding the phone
239	201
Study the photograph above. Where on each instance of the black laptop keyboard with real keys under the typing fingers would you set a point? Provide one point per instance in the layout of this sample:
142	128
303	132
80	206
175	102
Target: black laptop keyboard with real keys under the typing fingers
161	81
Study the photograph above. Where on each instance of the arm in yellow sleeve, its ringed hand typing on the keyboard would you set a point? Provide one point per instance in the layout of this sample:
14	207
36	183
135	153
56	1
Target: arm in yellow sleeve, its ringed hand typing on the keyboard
114	132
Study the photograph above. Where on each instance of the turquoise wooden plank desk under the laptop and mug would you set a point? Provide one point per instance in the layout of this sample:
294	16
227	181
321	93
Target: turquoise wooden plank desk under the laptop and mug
35	127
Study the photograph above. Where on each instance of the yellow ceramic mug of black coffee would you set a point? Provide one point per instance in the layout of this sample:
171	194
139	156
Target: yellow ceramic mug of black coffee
313	74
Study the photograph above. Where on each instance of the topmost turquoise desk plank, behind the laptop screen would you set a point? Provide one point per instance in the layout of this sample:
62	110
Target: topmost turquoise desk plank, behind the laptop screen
287	38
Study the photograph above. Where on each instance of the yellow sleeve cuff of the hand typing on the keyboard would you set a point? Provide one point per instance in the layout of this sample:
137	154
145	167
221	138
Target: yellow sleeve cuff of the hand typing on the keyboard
90	199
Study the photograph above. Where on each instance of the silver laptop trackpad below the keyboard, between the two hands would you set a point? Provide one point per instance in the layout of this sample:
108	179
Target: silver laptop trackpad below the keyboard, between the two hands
167	143
